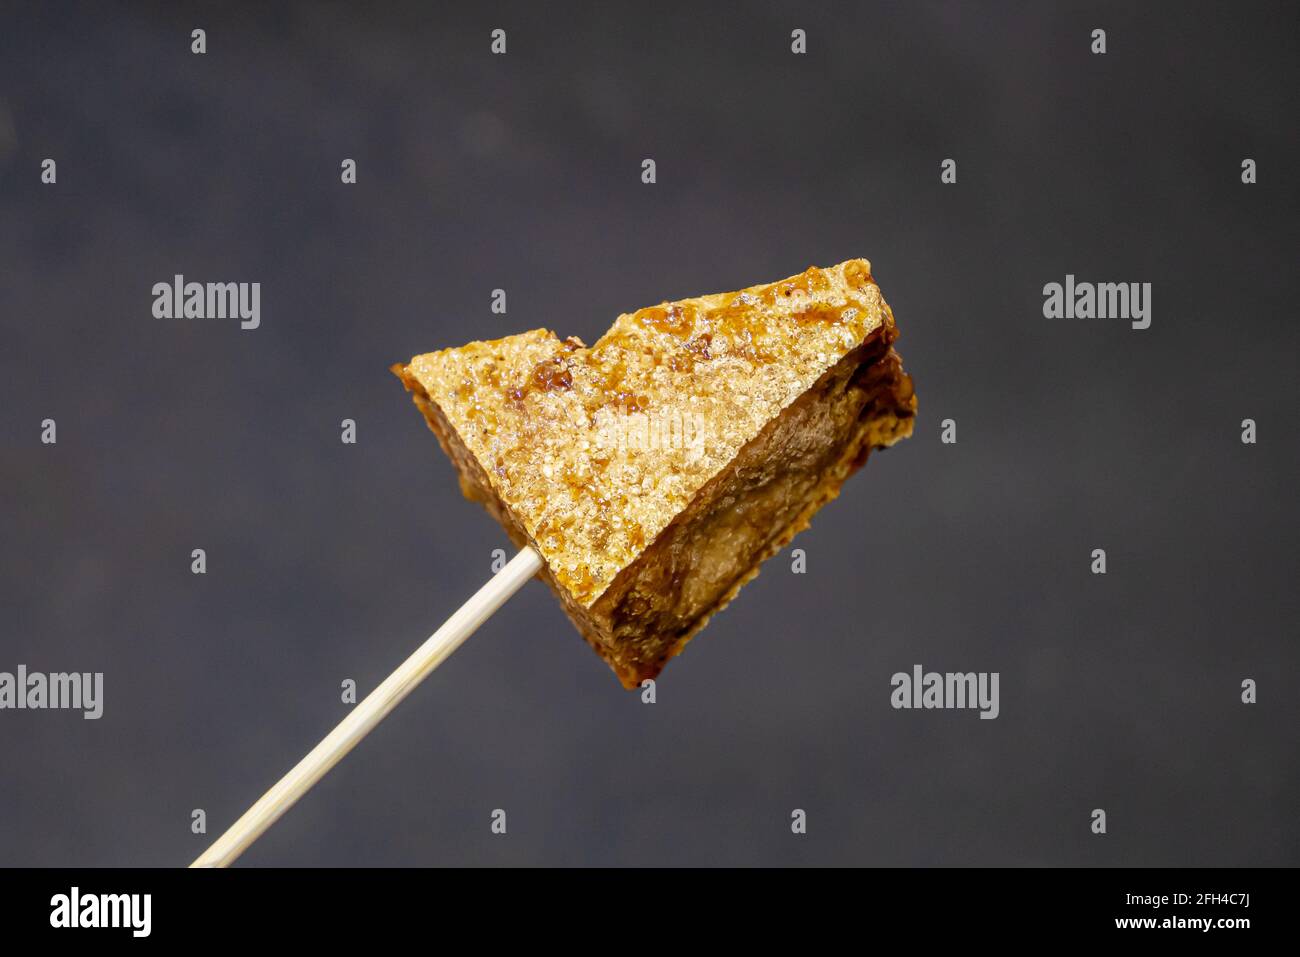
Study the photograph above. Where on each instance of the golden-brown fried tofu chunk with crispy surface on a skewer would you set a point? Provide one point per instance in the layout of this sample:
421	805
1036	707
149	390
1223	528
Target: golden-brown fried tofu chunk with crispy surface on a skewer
657	470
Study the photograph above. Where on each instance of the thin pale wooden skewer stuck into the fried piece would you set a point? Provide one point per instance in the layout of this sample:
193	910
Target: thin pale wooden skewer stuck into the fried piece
374	709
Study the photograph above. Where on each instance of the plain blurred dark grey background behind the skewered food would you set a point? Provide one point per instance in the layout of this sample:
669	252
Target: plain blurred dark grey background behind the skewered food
523	172
